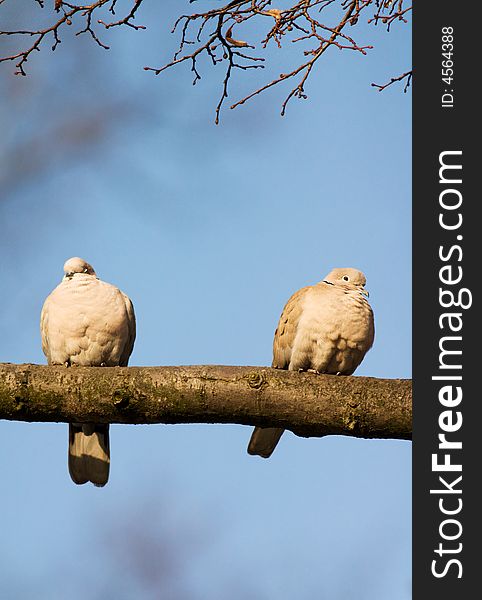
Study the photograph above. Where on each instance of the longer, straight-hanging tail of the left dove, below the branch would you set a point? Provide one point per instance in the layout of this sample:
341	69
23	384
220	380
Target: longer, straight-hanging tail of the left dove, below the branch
89	454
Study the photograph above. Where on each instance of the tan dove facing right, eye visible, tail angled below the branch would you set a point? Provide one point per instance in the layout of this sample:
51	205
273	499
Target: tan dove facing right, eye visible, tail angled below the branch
327	328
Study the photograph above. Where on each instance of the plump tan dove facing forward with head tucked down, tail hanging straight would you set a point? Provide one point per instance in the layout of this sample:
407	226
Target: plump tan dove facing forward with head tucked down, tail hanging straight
87	322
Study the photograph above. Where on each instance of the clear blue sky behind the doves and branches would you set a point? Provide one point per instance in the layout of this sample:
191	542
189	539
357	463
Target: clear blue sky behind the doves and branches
209	229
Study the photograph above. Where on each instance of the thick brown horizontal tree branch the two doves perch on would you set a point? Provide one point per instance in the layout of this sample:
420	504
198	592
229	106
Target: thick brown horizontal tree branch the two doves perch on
305	403
